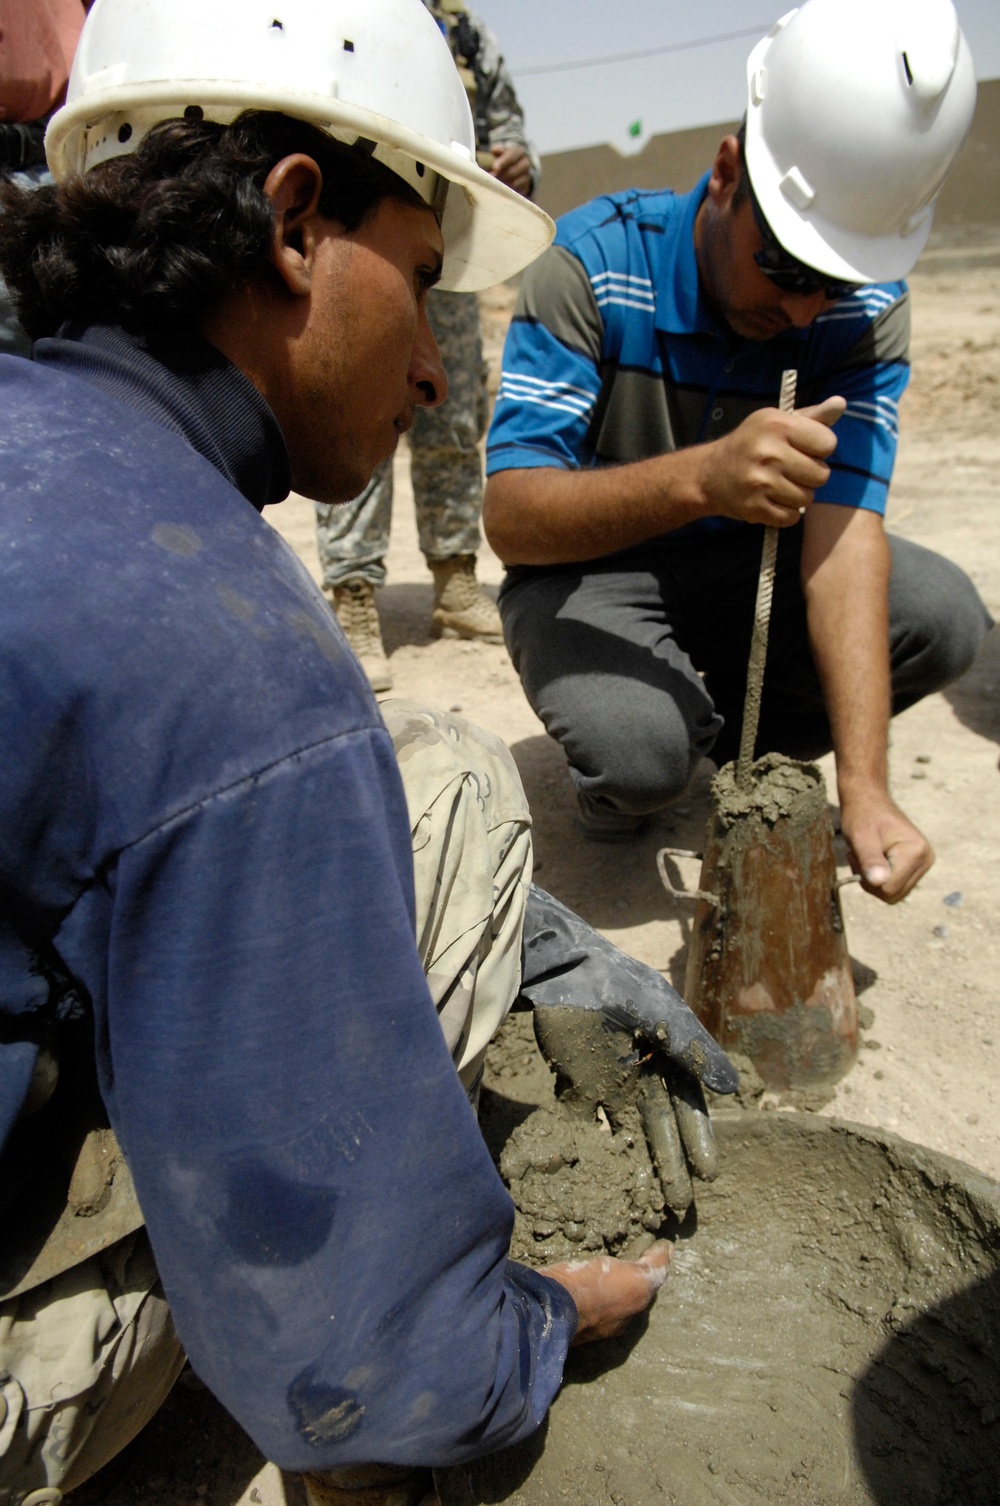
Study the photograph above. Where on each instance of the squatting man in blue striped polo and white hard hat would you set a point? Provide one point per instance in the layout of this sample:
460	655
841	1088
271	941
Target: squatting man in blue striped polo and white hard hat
638	445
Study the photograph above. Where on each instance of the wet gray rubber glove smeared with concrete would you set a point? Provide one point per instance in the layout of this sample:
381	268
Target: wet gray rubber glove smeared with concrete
618	1034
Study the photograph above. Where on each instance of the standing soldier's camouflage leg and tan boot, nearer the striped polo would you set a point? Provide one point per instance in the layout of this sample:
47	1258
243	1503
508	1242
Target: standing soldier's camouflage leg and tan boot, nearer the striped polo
448	474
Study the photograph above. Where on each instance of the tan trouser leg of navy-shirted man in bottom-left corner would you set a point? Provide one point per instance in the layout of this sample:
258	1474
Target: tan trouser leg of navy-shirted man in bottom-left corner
87	1359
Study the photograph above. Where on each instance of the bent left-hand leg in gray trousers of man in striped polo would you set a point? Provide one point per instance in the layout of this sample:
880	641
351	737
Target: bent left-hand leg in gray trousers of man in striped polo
602	665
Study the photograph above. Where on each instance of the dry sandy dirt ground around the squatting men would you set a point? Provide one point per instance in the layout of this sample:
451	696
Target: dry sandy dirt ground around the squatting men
927	969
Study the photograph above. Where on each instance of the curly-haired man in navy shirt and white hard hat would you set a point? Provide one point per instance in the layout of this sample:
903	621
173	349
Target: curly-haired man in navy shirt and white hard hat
254	937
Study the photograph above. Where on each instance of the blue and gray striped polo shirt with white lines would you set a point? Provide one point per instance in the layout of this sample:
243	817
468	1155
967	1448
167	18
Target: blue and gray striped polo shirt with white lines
615	355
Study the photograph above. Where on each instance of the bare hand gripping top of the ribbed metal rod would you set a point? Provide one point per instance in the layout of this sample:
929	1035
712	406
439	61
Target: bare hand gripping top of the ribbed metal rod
769	469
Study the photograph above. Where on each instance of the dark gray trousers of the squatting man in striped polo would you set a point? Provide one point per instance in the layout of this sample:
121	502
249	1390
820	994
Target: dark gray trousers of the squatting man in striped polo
638	665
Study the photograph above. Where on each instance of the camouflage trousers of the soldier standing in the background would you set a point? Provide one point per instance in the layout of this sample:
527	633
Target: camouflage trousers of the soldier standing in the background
447	471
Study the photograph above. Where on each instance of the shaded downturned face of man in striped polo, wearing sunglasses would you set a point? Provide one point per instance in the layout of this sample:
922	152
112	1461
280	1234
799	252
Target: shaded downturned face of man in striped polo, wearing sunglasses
727	242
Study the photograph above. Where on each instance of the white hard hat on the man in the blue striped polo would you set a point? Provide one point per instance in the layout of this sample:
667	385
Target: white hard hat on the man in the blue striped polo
858	111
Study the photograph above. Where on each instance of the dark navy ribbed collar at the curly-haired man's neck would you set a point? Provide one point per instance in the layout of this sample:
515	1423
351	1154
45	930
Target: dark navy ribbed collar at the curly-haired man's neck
191	389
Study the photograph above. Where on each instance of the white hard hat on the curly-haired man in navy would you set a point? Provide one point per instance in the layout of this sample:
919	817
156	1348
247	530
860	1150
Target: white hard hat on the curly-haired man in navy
374	70
